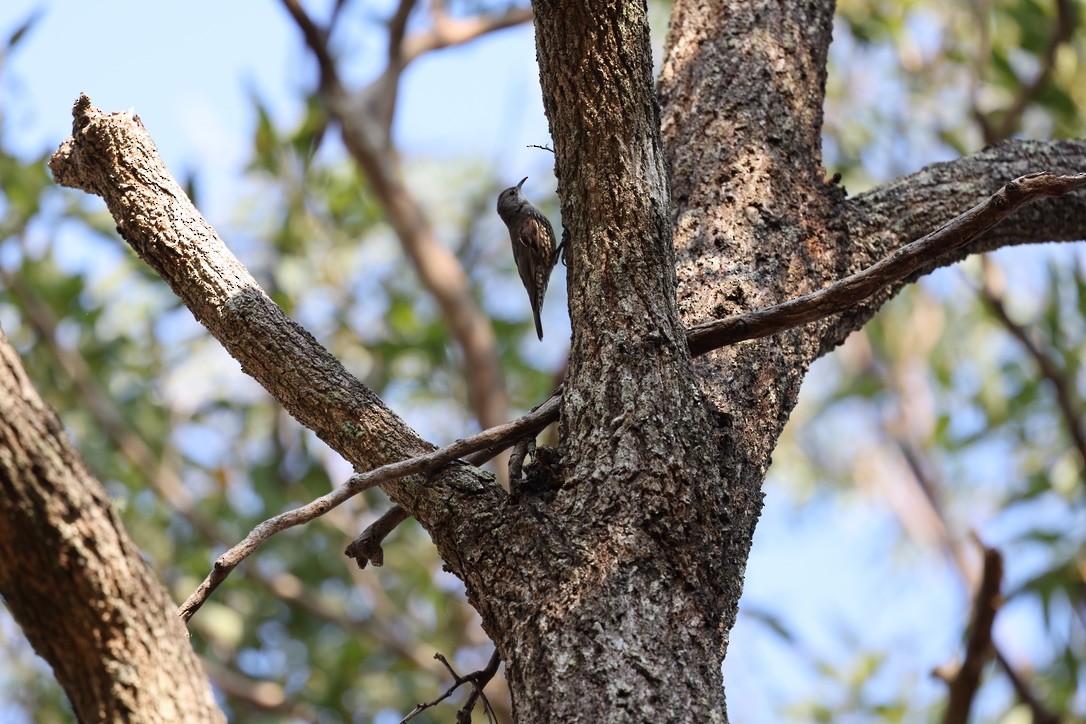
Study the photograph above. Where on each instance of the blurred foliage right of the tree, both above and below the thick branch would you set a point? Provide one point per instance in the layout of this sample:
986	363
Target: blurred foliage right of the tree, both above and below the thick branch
937	412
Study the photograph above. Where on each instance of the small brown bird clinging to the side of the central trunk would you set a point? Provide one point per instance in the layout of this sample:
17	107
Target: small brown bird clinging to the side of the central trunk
534	246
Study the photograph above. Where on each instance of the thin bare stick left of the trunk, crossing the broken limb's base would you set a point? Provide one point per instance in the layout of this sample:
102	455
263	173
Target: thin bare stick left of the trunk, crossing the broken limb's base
488	439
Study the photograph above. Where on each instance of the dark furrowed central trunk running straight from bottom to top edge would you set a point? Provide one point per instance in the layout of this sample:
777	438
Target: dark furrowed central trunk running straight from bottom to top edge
634	624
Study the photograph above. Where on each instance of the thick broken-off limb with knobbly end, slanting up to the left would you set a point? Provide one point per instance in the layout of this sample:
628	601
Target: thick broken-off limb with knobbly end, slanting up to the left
112	156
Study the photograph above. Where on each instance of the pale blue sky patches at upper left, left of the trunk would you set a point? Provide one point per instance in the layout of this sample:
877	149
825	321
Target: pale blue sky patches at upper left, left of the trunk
188	70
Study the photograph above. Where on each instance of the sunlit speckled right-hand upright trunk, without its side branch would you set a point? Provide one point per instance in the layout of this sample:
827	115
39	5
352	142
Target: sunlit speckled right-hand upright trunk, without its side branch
742	94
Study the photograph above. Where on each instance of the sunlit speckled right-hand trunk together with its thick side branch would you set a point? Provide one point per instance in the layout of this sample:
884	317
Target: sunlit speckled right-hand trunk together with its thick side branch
756	222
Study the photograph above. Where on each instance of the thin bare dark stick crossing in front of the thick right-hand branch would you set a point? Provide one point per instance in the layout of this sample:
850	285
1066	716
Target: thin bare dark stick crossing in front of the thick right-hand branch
907	260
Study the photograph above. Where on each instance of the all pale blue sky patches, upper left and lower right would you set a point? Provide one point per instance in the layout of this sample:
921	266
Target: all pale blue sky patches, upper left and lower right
190	70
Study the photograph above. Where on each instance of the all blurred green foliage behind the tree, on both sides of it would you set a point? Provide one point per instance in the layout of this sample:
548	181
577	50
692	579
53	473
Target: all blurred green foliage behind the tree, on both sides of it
935	387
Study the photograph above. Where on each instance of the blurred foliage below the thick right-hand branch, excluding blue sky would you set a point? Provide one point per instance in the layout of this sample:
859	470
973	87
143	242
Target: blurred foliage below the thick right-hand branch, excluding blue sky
937	414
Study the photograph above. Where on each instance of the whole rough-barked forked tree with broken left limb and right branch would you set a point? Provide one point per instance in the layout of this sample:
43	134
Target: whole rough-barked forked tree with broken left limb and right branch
611	596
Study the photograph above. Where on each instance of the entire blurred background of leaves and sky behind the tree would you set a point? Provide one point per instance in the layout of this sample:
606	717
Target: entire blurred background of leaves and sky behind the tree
955	414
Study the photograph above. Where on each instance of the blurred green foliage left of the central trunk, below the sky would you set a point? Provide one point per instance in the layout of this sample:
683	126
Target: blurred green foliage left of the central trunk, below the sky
301	633
